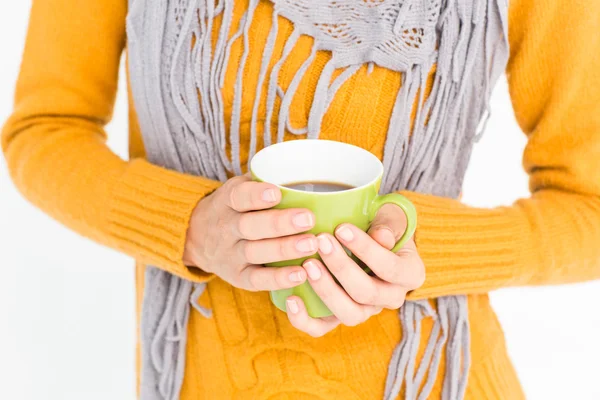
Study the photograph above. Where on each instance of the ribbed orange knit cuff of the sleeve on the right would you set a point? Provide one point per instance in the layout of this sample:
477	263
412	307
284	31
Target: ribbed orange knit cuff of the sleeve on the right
467	249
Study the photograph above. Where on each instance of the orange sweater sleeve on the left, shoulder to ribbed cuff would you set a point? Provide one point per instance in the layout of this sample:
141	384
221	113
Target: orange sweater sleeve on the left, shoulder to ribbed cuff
54	142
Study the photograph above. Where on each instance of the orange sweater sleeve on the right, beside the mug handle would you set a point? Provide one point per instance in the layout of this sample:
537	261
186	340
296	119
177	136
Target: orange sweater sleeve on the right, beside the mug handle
553	236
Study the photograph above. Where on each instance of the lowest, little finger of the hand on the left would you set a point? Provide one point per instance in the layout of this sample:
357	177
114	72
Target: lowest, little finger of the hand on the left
259	278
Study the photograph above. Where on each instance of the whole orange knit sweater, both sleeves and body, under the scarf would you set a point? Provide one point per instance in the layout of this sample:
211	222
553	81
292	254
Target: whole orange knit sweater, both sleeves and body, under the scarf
55	148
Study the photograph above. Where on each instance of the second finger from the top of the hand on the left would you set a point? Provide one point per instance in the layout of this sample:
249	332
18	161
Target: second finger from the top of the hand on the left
274	223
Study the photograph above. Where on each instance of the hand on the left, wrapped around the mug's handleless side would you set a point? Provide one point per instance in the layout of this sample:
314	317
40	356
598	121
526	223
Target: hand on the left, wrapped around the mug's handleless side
234	231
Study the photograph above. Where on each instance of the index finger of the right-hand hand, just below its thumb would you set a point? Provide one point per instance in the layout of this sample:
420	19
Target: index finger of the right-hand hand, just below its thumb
405	268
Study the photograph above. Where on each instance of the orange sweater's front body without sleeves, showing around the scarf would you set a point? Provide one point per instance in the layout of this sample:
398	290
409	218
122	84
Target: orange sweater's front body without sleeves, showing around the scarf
248	349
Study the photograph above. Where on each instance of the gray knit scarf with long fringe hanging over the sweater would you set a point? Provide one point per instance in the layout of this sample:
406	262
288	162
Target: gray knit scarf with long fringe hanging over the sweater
177	94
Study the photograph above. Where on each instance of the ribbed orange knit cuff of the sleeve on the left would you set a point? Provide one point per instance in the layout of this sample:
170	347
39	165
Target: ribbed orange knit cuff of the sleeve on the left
150	213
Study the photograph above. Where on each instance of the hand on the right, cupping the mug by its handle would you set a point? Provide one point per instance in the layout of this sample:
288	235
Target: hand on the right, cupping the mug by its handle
360	296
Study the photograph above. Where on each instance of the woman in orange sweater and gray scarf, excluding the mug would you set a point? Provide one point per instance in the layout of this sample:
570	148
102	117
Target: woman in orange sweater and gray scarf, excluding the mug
211	83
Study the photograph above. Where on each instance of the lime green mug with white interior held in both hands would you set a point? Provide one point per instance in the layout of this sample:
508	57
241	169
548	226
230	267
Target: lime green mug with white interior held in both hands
329	162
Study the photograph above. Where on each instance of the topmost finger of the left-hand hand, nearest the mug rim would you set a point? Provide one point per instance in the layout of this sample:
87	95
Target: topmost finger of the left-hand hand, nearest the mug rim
243	195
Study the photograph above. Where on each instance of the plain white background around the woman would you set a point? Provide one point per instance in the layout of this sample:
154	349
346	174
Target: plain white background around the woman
67	305
